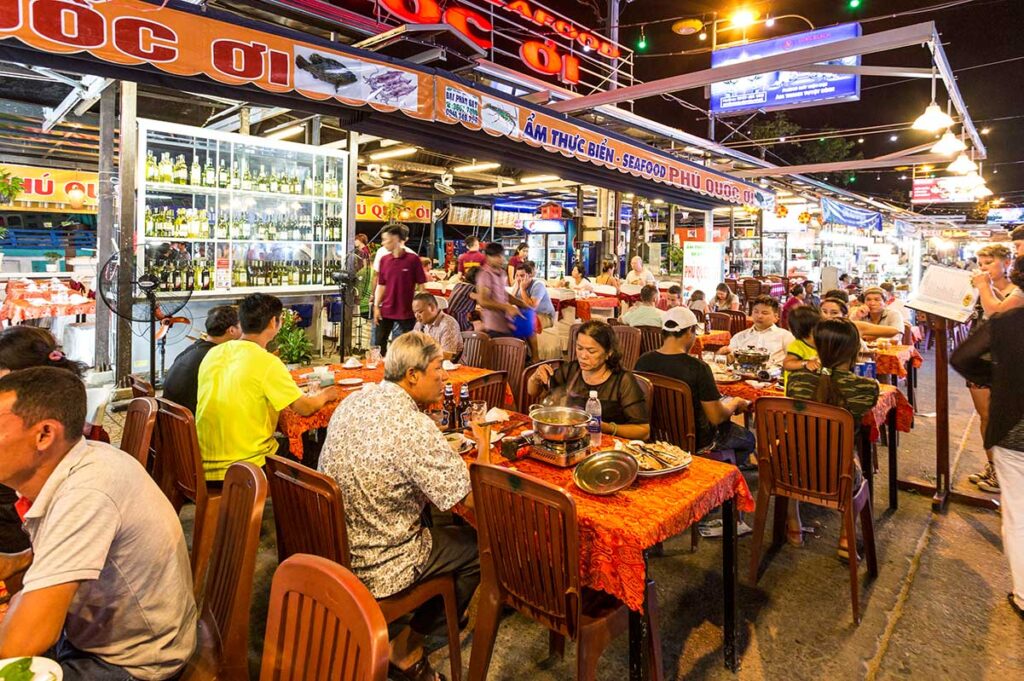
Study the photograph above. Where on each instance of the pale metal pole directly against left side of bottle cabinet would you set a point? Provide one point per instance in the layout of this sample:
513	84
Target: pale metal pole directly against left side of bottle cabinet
129	153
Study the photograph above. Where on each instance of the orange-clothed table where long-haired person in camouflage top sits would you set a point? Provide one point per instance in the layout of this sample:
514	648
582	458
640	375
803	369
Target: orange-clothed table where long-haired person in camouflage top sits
892	412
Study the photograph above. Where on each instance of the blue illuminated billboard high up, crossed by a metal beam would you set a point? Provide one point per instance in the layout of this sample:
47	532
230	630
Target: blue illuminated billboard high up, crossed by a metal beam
785	90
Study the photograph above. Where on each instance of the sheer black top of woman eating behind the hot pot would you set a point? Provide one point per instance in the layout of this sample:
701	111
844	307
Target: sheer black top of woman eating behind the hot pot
621	396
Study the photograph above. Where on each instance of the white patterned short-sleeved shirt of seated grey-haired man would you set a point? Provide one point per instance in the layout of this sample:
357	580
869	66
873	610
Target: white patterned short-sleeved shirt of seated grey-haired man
390	460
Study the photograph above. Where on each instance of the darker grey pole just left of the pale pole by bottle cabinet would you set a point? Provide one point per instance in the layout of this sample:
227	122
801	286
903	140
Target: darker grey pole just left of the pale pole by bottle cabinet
106	219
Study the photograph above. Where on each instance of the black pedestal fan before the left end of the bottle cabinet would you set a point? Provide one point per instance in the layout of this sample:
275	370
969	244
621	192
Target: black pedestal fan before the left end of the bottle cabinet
155	296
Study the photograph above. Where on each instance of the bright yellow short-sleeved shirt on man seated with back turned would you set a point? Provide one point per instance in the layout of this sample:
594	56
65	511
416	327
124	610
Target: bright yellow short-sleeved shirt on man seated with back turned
242	391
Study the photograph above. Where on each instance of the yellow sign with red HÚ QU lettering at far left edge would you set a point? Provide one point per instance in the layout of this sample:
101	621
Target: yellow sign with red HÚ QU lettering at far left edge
50	190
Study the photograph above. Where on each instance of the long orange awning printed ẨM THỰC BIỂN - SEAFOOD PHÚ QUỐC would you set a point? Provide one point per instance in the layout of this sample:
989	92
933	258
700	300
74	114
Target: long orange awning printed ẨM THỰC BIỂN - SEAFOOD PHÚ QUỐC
178	46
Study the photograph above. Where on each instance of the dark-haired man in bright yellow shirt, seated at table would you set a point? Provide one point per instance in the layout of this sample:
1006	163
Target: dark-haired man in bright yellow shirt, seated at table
243	389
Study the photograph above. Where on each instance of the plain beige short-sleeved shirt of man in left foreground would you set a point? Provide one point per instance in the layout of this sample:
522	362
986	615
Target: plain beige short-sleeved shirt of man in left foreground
101	521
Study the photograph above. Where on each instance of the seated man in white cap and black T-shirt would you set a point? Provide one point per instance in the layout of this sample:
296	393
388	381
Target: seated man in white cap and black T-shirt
715	430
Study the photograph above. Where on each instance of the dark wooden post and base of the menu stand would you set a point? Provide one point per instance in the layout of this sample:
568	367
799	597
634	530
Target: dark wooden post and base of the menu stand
942	493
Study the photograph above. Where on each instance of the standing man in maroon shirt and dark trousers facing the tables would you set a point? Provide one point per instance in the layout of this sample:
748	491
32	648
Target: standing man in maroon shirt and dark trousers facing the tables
401	276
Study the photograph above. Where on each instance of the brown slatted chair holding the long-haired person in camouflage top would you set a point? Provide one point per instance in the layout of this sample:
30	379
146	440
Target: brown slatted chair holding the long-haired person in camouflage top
805	453
